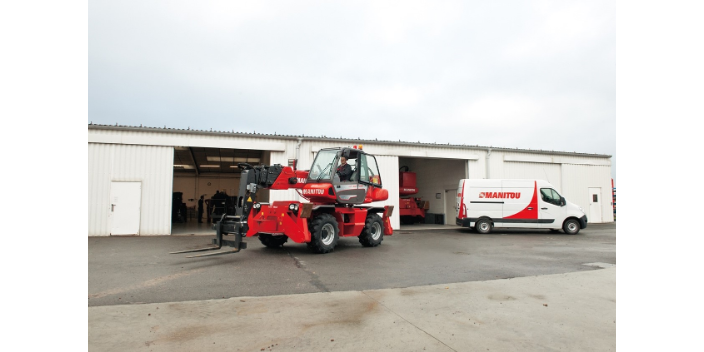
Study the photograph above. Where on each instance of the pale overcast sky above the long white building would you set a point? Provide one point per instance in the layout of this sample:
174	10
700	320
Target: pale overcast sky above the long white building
526	74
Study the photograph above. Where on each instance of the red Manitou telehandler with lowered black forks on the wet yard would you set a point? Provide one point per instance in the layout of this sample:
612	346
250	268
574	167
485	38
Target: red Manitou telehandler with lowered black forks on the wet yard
334	209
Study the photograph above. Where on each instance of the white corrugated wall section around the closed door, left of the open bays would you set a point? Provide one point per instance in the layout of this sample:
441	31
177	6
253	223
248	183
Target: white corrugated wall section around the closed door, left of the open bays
150	165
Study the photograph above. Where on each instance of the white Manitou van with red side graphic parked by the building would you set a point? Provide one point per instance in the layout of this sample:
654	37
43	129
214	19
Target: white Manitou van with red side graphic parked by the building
517	203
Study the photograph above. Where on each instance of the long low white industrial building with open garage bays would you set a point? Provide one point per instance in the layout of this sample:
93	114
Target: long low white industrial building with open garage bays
139	170
